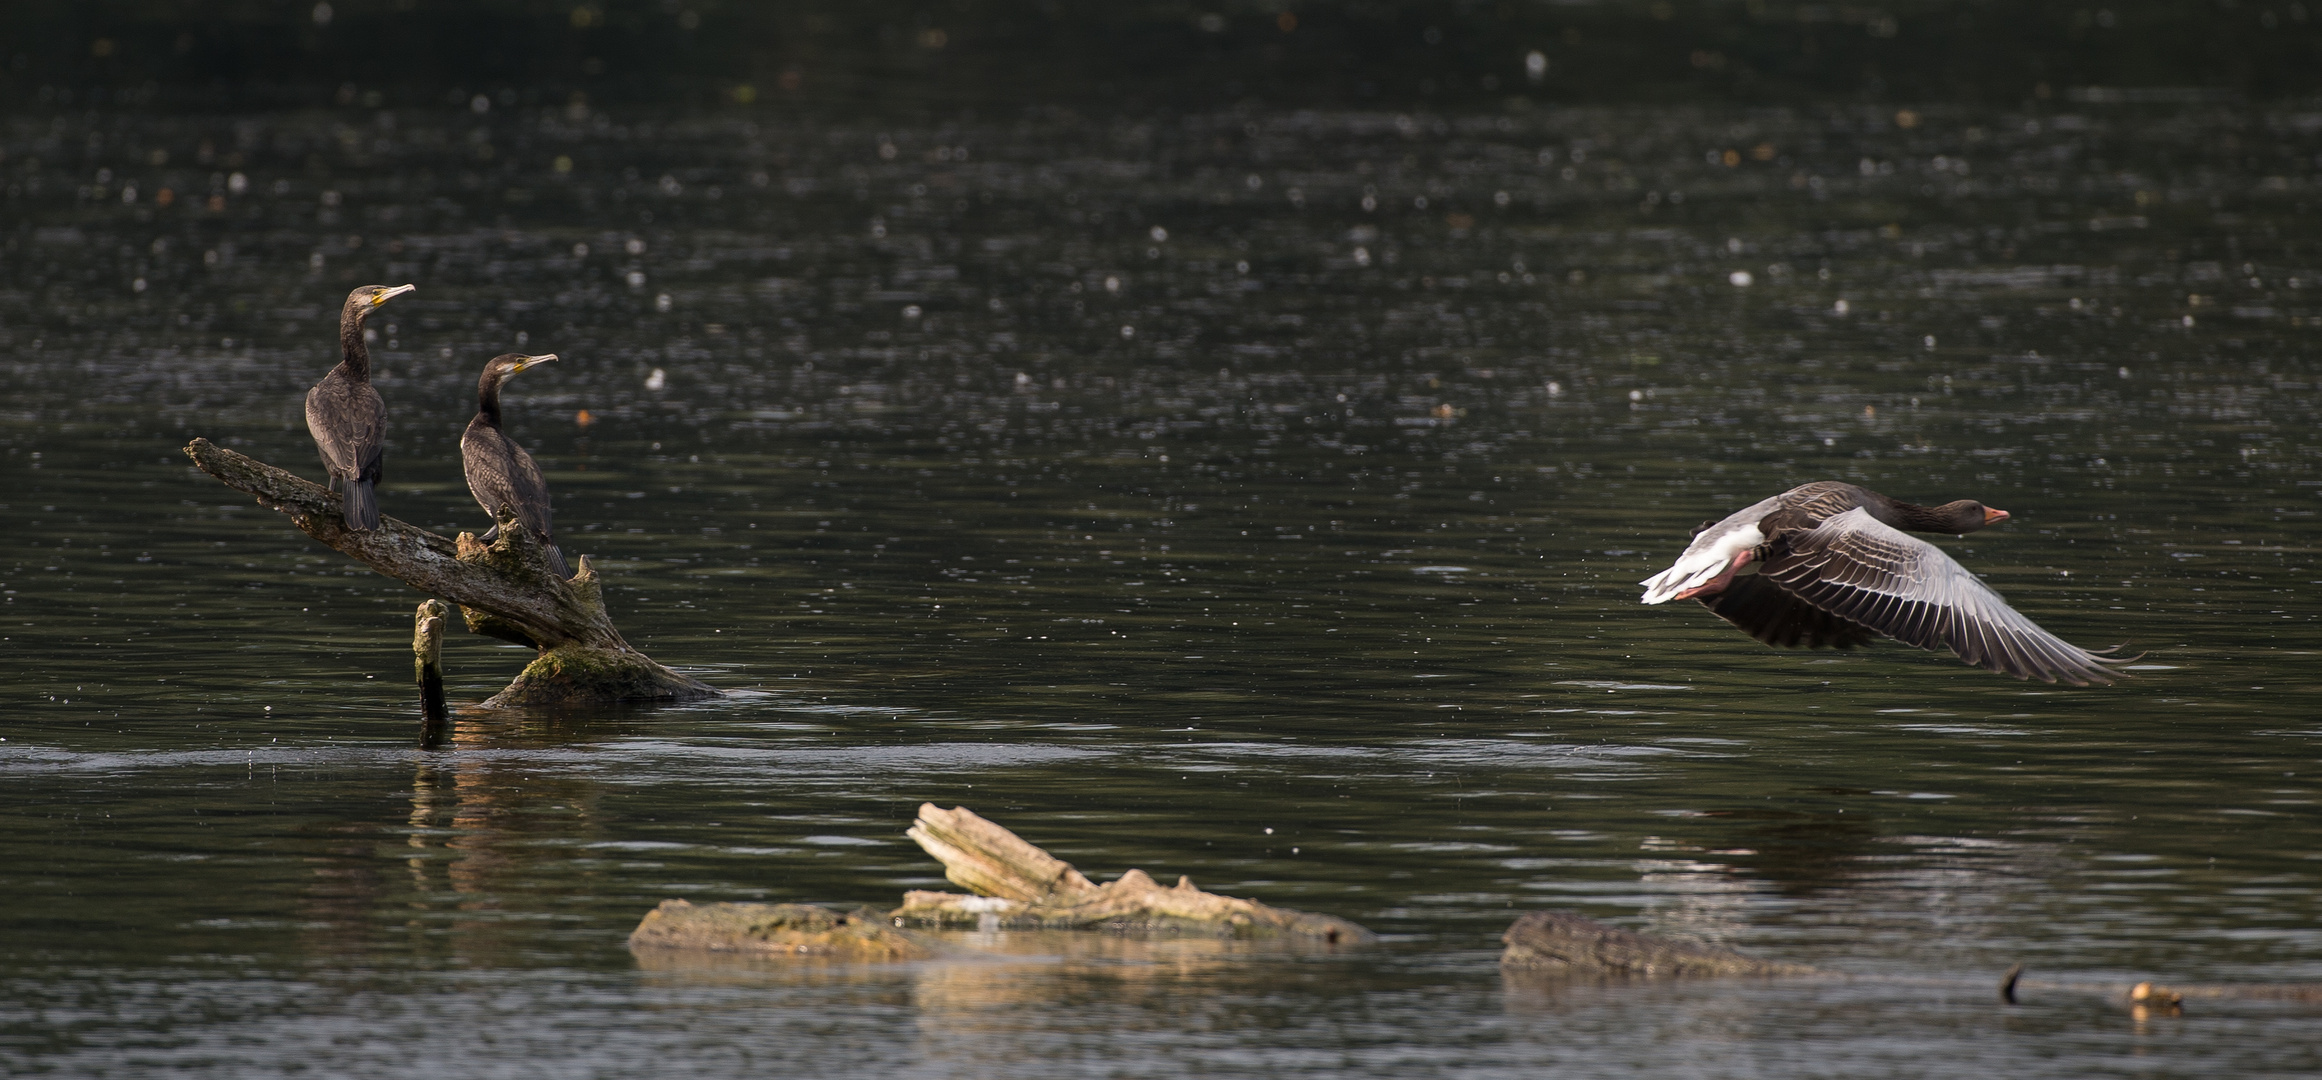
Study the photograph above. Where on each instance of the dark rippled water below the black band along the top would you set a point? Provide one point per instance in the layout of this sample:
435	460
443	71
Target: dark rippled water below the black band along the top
1248	496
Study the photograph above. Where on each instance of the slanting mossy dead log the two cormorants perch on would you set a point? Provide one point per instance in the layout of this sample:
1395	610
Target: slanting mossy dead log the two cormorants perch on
505	589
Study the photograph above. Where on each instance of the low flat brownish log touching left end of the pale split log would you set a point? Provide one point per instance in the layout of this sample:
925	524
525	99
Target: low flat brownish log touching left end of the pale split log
777	930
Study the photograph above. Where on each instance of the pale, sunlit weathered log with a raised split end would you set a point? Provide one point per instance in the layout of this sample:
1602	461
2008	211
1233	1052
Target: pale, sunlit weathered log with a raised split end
1021	886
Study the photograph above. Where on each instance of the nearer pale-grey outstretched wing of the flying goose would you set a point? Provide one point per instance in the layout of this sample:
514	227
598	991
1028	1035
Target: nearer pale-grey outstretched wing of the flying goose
1866	573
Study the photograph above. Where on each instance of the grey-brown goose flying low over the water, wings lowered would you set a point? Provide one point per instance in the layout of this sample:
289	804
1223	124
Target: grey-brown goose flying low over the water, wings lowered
1829	566
